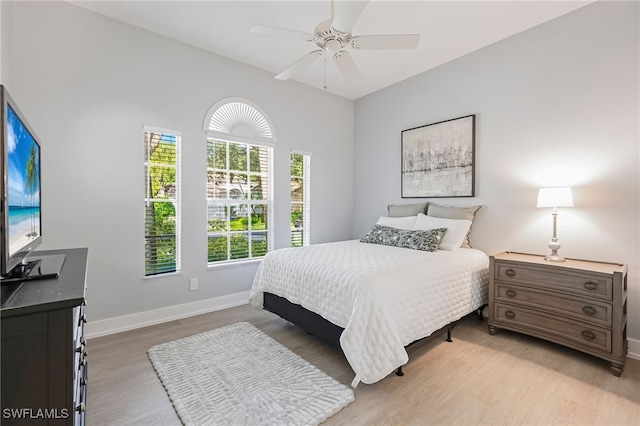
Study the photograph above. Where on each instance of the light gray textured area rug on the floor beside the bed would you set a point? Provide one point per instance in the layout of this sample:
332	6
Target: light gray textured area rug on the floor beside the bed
237	375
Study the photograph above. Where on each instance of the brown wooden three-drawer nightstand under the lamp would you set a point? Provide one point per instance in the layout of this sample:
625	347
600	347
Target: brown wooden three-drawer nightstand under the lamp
580	304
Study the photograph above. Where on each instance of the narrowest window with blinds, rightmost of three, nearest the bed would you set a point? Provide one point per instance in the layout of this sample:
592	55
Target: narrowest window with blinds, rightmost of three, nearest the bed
300	199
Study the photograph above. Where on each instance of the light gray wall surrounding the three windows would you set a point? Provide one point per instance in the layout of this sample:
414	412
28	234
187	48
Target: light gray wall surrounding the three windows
88	85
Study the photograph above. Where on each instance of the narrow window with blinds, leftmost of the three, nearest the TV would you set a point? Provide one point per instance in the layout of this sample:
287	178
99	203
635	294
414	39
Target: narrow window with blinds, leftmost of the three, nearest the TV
162	202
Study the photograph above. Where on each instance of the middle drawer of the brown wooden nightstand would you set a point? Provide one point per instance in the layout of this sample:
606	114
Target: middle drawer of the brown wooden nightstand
581	309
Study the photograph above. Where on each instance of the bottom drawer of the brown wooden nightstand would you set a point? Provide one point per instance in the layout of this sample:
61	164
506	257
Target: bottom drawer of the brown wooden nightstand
552	328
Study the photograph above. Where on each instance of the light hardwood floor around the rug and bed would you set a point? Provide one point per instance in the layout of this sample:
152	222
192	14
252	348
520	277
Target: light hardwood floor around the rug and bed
478	379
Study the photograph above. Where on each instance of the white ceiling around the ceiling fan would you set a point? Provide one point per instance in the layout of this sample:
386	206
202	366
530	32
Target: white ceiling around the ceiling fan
449	29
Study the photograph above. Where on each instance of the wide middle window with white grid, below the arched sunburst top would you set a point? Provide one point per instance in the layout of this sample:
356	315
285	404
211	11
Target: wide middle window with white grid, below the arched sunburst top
239	200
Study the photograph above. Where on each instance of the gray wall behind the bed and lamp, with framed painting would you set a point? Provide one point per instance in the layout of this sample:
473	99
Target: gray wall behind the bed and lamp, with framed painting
555	105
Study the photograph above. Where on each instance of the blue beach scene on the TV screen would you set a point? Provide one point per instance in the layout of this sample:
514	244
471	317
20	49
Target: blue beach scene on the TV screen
23	184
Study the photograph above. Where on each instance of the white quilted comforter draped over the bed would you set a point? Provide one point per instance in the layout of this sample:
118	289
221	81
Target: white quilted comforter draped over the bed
384	297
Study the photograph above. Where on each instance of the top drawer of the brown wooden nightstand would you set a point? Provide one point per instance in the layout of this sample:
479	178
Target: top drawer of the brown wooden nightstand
591	285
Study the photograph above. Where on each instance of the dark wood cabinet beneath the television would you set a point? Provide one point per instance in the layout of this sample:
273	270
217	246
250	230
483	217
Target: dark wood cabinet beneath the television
44	367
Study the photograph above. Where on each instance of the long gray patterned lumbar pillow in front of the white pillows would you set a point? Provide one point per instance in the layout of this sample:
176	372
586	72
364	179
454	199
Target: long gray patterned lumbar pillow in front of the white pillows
428	240
